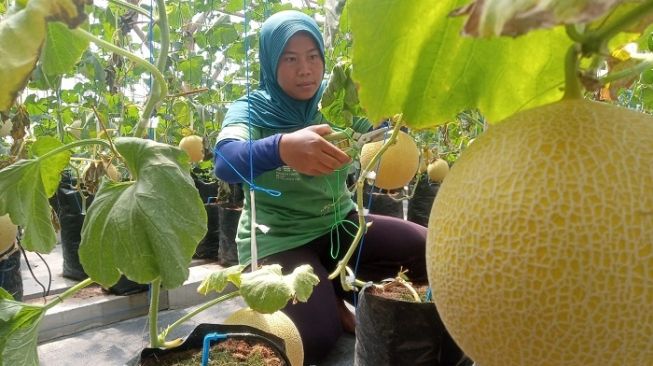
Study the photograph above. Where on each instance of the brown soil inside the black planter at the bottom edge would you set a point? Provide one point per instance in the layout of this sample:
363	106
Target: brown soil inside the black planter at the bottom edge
230	352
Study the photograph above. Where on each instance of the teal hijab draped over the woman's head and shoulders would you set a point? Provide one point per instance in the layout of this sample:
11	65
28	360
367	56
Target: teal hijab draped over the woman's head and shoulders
269	106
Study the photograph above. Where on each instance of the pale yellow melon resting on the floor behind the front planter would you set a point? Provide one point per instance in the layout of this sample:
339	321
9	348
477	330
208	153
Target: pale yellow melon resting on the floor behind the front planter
276	323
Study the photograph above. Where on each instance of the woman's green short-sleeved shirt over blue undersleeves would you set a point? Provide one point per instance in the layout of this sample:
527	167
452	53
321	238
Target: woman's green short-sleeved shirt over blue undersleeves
307	208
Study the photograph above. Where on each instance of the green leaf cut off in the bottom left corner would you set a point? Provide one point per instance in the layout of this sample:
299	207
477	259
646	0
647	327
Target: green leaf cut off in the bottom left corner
19	325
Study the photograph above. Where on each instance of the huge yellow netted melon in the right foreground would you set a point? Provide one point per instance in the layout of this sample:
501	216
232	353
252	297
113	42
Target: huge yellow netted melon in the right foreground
540	242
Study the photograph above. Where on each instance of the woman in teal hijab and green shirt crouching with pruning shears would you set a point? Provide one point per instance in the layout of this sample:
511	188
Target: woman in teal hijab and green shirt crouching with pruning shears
313	219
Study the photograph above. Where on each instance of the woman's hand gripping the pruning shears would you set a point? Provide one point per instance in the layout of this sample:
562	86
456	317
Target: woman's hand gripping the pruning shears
308	153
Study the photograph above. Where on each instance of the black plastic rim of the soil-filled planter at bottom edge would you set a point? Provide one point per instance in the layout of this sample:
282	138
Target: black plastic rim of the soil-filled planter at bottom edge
196	339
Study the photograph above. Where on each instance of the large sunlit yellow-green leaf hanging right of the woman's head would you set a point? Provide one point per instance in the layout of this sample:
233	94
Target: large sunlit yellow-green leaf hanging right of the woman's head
410	58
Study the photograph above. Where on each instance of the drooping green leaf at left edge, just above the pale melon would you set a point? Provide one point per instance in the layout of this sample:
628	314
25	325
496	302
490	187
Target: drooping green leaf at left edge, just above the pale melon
24	191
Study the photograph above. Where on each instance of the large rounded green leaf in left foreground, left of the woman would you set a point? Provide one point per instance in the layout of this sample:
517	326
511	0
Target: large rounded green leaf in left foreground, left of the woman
148	228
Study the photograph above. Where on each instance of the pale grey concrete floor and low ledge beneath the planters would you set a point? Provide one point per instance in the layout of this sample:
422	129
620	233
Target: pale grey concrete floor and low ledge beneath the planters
101	329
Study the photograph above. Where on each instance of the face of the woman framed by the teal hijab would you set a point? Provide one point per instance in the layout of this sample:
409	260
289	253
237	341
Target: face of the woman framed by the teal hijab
300	69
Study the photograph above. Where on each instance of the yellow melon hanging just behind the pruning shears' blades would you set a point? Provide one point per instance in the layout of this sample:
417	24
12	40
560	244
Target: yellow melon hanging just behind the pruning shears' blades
398	163
